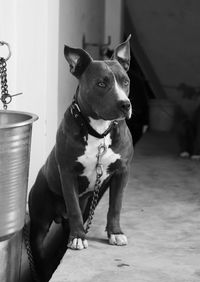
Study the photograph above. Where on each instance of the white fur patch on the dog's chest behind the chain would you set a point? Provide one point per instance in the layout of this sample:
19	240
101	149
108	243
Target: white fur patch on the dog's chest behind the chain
90	156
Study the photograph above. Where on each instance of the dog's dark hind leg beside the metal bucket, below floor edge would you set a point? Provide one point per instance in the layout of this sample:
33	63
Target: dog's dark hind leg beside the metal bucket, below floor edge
41	202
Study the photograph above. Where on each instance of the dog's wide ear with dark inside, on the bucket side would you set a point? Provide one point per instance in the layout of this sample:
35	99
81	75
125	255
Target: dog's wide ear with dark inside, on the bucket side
78	60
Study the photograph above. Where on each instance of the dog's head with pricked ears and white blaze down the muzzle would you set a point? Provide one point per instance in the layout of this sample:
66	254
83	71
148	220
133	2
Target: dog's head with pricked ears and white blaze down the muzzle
103	85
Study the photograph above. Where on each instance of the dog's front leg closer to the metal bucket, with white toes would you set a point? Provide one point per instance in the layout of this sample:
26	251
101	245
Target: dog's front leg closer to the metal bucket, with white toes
77	239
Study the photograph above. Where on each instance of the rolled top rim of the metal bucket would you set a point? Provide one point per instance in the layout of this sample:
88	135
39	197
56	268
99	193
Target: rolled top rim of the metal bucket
30	120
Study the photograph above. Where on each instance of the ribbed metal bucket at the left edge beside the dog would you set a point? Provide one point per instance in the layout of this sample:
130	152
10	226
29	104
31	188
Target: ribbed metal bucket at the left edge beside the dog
15	144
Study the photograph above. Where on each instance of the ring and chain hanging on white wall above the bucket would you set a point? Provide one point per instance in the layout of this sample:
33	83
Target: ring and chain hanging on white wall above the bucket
5	98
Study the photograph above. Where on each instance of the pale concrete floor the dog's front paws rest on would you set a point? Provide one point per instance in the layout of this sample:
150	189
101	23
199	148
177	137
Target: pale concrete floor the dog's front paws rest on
161	217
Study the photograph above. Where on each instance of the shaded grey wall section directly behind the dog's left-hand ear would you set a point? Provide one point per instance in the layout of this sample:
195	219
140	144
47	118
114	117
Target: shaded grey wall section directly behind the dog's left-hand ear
76	19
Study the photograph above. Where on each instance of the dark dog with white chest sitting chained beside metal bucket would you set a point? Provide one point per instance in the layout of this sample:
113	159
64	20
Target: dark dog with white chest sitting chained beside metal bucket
93	150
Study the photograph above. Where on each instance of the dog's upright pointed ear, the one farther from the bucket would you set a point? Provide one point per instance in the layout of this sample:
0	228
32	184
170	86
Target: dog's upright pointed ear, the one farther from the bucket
122	54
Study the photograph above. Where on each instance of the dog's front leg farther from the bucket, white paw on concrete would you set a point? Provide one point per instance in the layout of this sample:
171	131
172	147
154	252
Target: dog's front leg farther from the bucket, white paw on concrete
114	231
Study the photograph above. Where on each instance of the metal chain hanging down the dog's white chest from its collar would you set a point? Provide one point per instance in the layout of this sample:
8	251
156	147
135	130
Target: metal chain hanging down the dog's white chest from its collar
99	173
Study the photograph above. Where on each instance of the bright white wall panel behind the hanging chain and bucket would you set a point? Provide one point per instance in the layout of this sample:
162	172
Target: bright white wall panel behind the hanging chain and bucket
31	28
